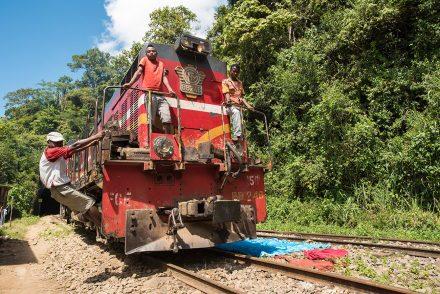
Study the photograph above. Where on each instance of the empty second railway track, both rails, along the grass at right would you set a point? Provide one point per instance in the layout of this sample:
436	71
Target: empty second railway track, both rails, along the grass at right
359	241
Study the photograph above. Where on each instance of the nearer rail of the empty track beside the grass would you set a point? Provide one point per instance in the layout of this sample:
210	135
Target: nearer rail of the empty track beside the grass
413	251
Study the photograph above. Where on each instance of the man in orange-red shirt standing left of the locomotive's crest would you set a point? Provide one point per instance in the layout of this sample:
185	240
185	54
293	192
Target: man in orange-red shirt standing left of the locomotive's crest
153	77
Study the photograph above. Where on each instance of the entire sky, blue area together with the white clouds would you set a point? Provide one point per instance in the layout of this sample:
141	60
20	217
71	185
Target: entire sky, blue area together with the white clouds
38	38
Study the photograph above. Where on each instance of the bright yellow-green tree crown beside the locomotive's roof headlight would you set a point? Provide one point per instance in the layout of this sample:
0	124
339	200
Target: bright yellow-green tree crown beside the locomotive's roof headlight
251	33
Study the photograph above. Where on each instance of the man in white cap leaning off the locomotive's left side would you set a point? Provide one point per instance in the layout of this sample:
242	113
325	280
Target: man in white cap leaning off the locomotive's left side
53	174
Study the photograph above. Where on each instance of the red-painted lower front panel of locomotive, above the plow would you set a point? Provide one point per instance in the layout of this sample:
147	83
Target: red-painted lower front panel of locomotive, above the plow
131	188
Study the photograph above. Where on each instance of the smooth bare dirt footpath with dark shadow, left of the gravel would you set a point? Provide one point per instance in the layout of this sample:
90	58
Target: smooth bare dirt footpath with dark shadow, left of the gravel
21	268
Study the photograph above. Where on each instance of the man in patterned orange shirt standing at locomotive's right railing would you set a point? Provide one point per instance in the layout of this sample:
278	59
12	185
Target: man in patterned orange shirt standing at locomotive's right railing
233	91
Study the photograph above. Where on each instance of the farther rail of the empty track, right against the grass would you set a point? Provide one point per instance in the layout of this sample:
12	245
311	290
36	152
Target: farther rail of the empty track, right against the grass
345	237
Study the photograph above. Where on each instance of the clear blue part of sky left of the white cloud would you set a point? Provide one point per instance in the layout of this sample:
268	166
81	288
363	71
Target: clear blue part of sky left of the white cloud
39	37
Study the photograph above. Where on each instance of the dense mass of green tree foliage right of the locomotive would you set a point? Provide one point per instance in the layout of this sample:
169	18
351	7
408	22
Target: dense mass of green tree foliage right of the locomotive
351	91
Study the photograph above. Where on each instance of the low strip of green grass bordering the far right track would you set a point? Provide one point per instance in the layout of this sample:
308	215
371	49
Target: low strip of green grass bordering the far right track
349	218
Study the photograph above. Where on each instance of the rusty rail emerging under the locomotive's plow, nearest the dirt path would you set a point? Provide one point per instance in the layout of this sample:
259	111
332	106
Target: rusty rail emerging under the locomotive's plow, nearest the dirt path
193	279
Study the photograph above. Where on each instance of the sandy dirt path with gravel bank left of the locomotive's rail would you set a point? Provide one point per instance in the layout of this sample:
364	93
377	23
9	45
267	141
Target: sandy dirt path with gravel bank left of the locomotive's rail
55	259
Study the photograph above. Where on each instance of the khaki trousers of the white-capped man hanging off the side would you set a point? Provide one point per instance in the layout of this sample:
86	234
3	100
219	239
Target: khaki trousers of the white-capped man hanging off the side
73	199
